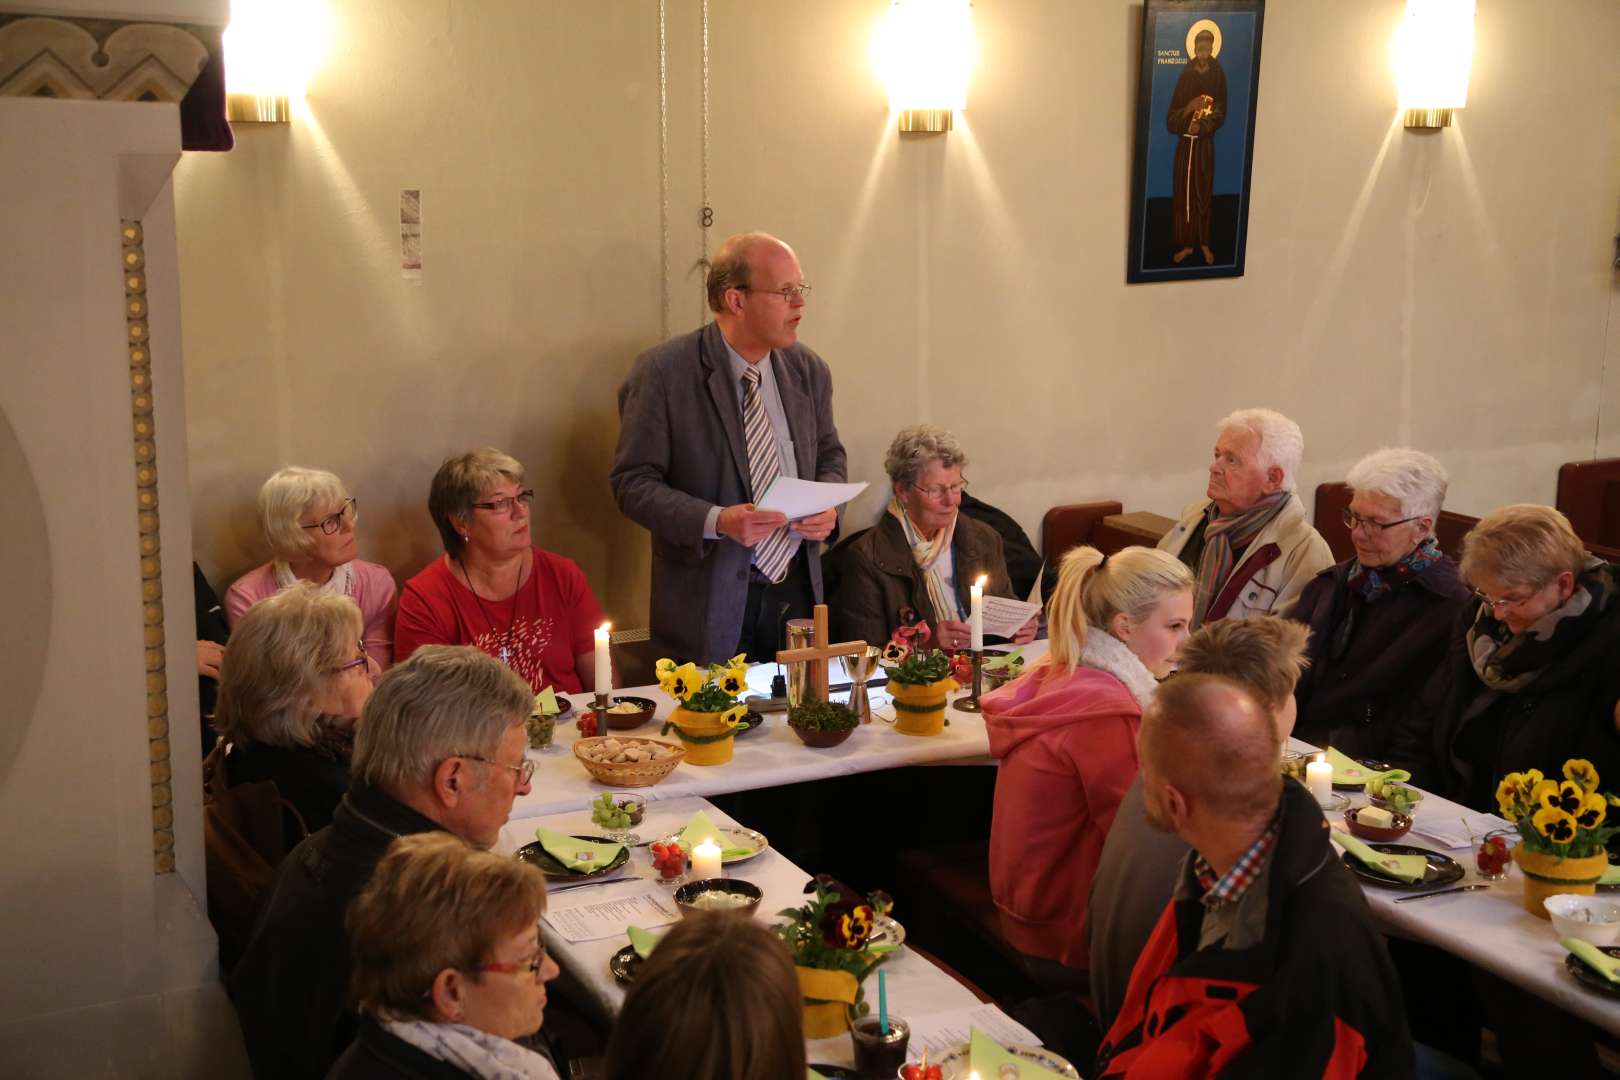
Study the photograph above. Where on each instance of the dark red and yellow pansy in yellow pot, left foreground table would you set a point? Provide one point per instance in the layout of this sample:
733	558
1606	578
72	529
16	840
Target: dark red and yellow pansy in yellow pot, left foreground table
832	942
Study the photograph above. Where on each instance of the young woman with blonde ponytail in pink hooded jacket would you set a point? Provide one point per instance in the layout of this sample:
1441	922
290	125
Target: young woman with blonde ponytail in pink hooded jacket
1065	734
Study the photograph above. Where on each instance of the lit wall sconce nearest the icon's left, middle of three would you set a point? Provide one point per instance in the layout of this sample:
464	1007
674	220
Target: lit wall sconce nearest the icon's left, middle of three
926	53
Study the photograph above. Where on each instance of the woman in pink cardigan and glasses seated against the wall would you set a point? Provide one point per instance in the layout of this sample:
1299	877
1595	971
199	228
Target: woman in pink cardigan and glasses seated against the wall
309	519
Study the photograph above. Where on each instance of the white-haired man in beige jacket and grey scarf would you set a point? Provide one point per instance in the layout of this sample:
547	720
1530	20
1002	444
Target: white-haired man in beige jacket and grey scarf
1248	542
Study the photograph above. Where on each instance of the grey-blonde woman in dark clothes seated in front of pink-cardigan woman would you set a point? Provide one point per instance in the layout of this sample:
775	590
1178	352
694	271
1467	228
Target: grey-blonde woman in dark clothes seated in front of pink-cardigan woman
291	689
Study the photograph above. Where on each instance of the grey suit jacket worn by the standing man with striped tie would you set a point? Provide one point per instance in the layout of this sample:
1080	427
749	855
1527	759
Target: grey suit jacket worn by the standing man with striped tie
681	451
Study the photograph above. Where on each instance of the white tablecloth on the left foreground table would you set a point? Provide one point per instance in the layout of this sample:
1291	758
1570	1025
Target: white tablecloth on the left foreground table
916	987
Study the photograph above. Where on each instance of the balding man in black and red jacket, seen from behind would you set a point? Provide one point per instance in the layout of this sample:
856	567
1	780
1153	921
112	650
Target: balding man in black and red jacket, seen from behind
1266	964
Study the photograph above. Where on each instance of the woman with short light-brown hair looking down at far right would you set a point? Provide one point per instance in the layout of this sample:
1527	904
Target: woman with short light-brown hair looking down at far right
1530	676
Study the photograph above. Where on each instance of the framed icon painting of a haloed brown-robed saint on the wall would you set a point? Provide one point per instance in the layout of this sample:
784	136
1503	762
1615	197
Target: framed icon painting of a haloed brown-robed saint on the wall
1195	138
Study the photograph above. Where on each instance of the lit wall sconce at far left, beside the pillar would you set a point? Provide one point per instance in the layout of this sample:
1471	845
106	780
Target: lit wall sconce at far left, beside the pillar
271	49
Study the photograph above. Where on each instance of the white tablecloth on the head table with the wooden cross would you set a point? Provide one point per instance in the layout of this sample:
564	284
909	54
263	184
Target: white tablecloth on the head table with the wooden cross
767	757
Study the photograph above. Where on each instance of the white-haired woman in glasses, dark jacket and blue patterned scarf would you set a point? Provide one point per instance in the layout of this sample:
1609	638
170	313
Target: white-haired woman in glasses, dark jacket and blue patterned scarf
1381	619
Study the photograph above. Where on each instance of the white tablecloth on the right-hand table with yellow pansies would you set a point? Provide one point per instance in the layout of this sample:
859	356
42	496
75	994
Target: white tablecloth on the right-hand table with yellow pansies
1488	929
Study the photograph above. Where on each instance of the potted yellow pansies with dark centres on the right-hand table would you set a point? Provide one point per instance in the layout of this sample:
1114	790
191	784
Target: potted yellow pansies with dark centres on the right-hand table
1562	833
